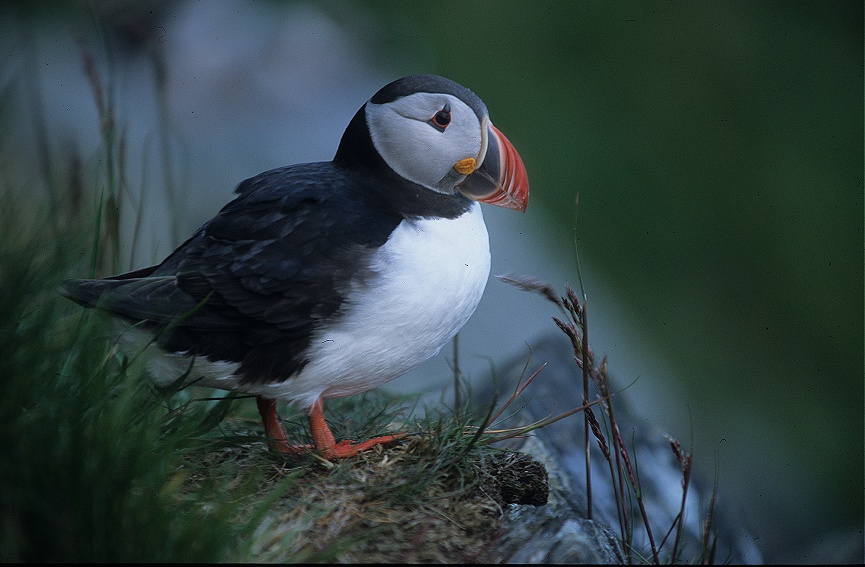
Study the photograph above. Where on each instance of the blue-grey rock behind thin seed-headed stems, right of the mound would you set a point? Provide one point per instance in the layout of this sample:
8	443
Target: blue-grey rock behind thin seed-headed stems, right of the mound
561	531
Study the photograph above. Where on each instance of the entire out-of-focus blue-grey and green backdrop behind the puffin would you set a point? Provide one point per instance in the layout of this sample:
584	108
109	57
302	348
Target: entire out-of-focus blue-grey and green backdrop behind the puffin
715	149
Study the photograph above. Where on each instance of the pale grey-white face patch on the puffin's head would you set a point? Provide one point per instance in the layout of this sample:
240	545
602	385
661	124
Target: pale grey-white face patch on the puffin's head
417	149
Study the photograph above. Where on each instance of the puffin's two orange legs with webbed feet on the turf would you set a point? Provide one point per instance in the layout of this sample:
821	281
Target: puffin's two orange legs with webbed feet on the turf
322	438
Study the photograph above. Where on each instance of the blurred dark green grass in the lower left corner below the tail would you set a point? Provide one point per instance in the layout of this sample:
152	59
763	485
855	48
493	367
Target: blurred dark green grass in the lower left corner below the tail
90	452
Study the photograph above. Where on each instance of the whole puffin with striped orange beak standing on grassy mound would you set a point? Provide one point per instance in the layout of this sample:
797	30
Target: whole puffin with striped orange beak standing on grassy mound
327	279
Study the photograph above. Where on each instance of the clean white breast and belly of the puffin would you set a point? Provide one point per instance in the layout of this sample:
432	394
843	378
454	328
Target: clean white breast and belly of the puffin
431	275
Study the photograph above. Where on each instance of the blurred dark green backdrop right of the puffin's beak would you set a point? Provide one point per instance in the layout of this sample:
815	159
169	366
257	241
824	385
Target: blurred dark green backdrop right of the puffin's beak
717	151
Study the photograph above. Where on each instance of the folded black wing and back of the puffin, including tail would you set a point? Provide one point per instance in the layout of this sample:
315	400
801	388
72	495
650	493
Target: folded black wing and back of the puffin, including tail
254	283
